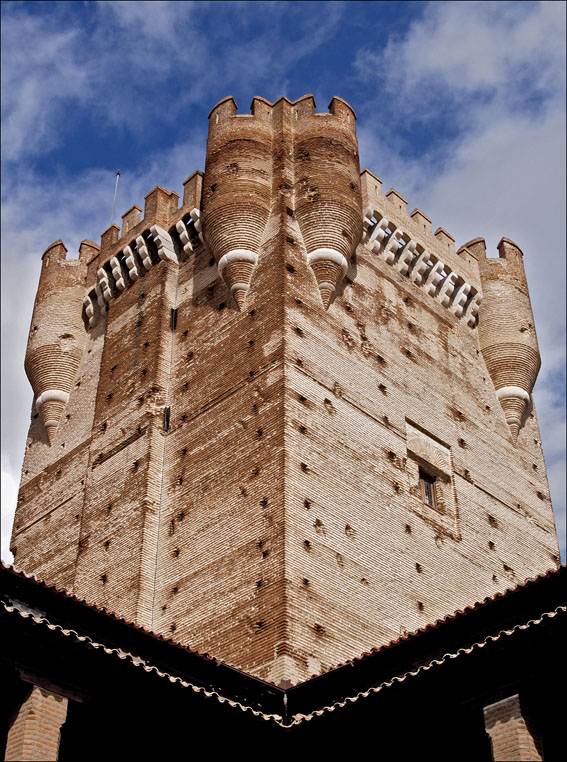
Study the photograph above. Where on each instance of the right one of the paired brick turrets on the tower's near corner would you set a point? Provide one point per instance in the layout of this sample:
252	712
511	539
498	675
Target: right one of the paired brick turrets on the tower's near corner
328	202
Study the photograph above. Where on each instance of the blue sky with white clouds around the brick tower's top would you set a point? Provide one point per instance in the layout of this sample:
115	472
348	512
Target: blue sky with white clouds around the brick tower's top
460	107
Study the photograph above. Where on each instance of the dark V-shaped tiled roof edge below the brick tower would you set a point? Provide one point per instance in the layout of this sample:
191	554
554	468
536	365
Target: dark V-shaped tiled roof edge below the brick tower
407	657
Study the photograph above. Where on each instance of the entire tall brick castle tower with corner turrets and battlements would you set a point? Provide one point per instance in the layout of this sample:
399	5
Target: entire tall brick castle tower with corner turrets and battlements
276	423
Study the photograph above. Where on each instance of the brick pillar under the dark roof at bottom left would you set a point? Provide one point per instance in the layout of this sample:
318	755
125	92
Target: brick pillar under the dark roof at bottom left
34	733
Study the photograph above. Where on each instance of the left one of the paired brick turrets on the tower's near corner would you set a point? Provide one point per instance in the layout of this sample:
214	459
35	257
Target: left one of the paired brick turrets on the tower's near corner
237	189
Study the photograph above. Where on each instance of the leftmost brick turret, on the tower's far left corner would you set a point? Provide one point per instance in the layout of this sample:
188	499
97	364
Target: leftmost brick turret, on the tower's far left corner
57	335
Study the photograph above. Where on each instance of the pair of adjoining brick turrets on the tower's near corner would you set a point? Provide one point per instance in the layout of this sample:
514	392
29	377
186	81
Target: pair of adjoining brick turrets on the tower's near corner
238	192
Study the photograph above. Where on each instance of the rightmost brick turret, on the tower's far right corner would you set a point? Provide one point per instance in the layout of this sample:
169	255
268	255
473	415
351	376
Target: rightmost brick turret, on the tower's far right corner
506	330
